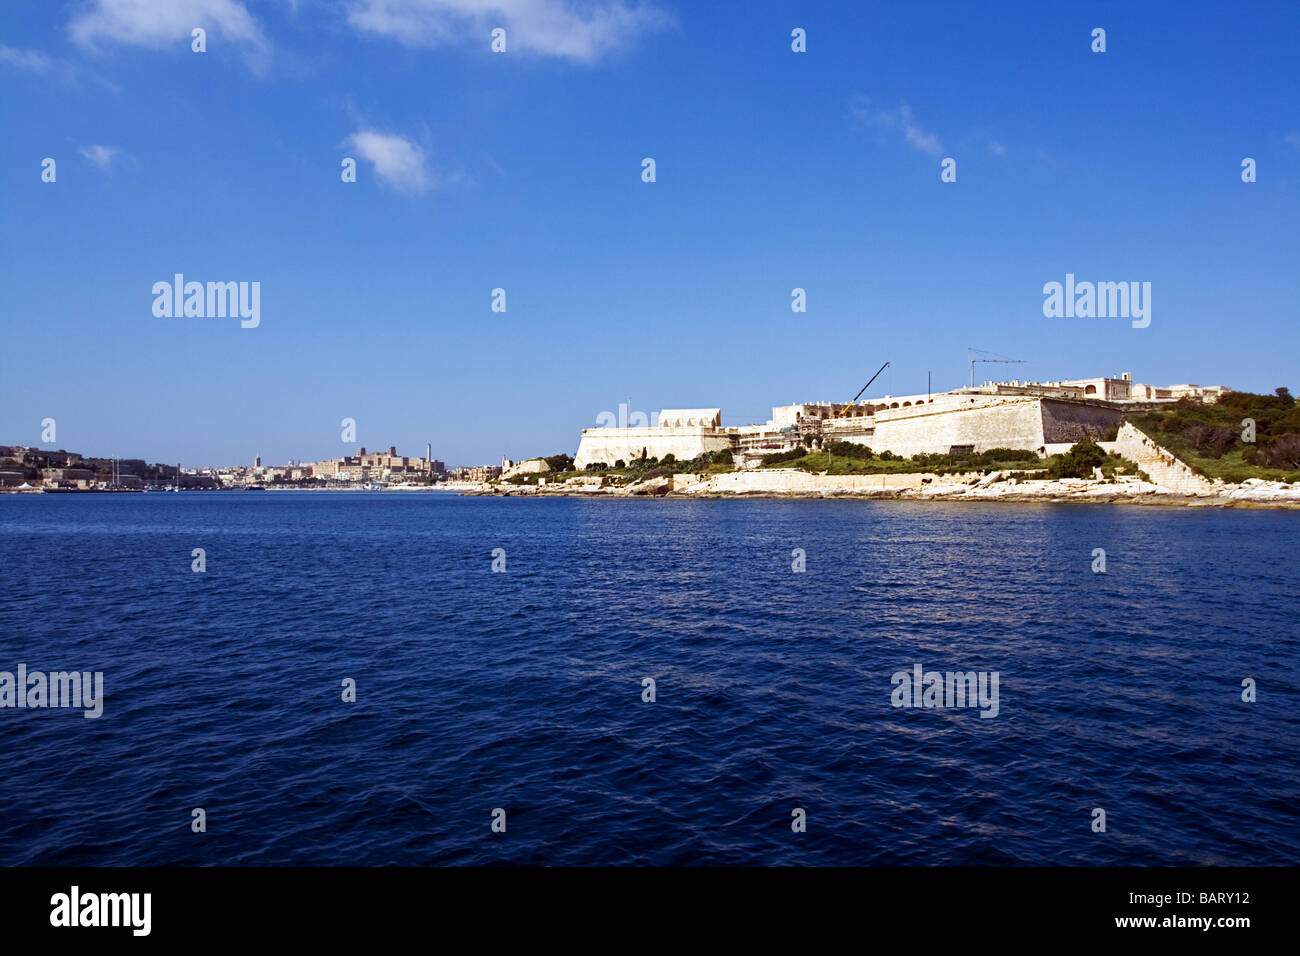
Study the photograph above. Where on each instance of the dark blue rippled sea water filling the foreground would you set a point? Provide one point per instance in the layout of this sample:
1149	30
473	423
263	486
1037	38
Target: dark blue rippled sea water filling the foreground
523	690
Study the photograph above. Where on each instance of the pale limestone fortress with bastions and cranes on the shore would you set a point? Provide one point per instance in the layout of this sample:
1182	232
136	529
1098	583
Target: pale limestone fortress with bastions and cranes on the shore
1046	418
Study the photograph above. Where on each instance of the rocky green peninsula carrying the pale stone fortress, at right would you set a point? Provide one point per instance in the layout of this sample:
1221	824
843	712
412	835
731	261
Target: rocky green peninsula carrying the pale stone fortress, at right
1103	439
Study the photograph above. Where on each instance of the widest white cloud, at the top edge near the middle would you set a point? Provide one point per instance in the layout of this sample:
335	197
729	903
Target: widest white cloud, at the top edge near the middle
582	32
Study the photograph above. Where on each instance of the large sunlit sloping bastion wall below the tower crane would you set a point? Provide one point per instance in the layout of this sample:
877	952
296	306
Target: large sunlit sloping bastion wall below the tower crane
1011	425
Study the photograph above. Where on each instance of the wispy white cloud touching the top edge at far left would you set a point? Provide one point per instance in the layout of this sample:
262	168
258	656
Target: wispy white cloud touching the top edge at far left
167	24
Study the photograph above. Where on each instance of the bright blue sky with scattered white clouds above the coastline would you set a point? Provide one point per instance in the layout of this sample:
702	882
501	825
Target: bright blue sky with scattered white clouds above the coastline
523	171
